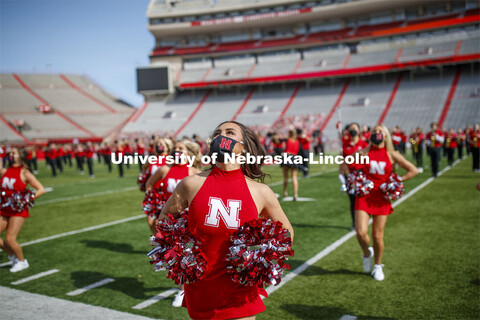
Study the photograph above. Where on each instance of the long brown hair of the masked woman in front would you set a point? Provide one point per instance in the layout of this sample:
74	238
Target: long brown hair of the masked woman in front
252	145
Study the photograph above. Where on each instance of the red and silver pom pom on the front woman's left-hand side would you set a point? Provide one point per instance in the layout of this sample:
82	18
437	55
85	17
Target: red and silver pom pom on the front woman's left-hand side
177	251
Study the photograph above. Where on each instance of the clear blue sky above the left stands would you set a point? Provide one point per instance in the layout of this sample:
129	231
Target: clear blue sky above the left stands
103	39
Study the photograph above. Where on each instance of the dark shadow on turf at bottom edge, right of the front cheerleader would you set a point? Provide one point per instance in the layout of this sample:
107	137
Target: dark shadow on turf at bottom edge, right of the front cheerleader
301	311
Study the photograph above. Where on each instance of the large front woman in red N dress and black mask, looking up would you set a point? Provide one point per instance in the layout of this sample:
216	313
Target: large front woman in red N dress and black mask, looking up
220	200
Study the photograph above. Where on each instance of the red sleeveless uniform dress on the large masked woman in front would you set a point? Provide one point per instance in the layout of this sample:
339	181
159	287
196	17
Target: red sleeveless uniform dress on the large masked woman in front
221	206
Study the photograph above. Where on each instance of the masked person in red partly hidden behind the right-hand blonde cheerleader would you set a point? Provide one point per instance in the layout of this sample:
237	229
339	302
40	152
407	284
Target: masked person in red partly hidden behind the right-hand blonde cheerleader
351	145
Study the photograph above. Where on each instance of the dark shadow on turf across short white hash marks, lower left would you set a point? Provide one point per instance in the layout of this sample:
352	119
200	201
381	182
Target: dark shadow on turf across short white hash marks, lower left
130	286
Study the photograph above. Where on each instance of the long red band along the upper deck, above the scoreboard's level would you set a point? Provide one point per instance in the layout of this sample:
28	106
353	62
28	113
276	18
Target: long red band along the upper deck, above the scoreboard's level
366	31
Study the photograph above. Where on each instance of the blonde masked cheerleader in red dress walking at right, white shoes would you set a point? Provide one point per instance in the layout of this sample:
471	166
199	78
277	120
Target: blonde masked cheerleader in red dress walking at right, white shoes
382	159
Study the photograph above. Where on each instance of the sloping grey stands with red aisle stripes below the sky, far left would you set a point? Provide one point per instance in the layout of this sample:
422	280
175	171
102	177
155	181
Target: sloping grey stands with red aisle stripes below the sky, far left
80	109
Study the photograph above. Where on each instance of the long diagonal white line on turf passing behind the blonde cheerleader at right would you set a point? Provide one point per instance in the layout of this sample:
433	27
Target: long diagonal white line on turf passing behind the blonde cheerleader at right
346	237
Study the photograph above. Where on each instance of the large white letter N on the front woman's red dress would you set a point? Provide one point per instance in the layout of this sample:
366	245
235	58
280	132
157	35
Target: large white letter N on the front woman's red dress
228	213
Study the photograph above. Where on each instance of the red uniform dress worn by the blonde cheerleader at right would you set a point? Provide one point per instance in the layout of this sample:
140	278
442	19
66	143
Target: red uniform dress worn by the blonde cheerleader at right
377	171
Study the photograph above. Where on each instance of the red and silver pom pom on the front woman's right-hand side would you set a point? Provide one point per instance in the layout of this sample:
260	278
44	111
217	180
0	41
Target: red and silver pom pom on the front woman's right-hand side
258	252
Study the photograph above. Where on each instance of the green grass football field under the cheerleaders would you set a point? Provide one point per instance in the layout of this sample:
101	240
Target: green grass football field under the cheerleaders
431	257
